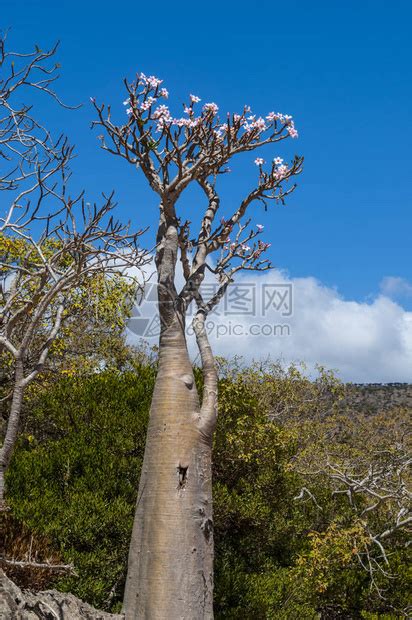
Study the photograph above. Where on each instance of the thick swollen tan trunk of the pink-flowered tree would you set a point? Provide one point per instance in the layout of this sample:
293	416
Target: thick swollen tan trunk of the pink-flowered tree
170	571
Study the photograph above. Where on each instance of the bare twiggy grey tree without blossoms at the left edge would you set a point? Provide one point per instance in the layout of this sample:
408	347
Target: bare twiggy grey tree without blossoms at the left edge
50	243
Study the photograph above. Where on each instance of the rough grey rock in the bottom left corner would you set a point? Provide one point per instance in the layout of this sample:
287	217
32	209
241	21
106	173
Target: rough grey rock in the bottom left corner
16	604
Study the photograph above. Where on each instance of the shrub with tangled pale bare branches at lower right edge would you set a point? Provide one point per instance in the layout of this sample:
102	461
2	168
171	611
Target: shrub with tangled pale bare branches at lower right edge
367	459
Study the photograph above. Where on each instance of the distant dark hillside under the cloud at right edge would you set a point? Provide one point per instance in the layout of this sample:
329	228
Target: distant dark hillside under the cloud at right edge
374	397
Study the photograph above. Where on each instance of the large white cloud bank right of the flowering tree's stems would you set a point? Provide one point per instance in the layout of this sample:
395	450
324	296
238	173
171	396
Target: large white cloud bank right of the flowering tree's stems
362	341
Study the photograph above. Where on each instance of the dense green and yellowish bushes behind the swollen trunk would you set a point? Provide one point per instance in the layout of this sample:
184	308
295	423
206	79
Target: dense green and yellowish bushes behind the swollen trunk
74	477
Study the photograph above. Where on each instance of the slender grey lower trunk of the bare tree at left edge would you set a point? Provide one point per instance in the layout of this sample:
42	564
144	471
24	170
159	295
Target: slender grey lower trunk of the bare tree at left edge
10	439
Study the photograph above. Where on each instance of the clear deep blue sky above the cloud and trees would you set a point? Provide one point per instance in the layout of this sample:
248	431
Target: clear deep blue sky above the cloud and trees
342	69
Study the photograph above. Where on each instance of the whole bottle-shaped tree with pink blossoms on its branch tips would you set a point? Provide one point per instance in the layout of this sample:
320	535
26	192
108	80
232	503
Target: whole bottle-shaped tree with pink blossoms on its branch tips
170	571
